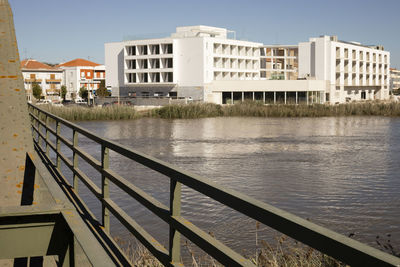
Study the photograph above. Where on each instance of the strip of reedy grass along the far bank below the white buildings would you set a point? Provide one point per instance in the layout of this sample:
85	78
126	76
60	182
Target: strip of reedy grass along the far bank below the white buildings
245	109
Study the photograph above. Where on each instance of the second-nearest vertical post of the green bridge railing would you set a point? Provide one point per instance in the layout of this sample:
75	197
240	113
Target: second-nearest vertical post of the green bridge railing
105	164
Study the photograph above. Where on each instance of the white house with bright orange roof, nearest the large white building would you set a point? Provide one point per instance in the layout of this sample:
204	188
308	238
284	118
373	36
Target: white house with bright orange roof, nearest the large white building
80	73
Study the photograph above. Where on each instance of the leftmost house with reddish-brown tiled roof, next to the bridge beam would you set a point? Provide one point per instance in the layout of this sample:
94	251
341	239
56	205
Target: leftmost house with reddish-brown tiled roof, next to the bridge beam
47	77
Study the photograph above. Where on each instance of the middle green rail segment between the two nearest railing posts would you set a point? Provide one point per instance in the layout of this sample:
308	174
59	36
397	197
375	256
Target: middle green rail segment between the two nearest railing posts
146	200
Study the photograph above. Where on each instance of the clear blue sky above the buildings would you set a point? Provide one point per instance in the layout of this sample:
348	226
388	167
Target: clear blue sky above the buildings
58	30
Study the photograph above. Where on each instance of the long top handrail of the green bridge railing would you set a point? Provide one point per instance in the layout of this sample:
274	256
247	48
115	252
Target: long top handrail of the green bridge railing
322	239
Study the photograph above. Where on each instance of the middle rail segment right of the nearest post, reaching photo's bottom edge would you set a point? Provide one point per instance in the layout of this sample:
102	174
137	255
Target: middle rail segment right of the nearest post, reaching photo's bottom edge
209	244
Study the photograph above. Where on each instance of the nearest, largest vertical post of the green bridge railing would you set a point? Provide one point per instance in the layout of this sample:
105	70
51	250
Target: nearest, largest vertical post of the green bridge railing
175	210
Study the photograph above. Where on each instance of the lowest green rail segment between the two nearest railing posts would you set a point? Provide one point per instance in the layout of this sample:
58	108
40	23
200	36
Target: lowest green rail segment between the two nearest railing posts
145	238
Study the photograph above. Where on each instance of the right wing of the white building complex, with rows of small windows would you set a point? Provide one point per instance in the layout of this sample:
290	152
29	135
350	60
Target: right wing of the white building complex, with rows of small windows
352	71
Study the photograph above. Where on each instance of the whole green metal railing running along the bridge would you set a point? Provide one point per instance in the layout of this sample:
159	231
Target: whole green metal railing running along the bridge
338	246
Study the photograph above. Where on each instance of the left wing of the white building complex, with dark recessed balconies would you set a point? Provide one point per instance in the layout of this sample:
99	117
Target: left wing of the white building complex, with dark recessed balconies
180	65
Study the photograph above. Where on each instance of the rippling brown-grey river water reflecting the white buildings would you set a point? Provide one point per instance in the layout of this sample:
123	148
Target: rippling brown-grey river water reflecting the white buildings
342	173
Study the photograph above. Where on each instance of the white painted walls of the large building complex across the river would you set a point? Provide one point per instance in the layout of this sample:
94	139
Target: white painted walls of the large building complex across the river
204	55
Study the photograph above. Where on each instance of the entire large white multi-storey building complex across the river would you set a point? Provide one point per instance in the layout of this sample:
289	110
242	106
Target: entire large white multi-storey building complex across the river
201	63
